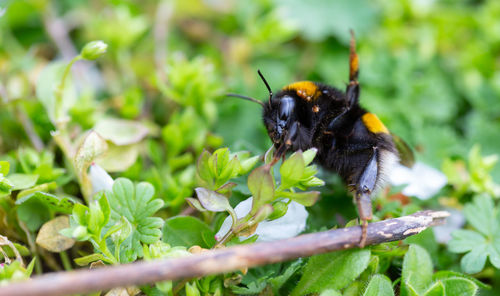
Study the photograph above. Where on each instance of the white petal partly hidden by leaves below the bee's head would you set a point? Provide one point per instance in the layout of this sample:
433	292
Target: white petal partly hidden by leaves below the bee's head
290	225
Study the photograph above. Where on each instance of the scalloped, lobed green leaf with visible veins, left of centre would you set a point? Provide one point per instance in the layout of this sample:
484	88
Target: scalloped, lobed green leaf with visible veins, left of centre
138	204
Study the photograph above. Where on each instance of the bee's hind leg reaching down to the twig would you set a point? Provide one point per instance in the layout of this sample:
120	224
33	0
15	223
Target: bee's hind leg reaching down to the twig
364	189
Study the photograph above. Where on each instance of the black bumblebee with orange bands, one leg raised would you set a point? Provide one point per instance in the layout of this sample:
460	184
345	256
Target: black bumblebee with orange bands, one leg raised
350	140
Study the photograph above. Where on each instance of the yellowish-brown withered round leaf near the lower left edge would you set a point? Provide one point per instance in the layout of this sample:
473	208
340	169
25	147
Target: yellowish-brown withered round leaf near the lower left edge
49	237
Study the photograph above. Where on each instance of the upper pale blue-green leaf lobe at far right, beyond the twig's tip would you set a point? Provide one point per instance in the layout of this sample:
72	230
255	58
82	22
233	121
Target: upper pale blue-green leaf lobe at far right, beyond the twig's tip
481	214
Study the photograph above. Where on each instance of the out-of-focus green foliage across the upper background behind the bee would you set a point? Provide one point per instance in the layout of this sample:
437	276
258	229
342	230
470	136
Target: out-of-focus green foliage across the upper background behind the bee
429	69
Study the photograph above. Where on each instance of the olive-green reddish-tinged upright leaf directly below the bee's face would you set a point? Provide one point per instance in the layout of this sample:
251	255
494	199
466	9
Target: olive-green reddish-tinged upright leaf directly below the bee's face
261	185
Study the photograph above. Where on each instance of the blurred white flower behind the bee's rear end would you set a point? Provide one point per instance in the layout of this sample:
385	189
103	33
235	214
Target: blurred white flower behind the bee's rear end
423	181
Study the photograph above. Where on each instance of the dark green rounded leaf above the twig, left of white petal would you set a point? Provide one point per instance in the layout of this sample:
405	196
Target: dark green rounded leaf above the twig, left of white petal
186	231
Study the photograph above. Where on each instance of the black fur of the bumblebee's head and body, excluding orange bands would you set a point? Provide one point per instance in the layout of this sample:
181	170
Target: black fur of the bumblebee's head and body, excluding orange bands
345	145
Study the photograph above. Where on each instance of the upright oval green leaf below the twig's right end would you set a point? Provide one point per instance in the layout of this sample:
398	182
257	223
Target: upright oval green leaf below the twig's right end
417	268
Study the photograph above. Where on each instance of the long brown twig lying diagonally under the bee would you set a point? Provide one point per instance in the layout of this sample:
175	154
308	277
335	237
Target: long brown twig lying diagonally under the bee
222	260
